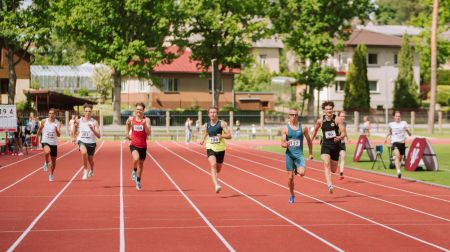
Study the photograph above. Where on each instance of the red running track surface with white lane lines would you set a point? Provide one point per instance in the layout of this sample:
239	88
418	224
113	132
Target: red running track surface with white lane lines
177	209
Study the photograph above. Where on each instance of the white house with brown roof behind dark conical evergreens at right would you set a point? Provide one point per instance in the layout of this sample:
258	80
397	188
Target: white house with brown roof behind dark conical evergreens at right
383	52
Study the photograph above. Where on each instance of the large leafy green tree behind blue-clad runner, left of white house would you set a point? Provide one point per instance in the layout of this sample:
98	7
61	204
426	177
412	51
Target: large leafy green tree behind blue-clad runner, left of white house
313	32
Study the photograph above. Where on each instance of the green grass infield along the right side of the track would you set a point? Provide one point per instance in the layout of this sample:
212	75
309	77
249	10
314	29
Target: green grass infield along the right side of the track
440	177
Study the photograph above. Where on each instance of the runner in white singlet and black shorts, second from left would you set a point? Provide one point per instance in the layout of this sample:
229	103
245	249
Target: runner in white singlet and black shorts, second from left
87	130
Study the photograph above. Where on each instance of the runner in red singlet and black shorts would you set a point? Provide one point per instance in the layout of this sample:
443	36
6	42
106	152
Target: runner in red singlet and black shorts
137	130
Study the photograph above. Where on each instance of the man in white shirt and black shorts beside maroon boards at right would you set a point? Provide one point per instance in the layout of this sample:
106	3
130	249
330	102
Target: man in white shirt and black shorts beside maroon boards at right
397	132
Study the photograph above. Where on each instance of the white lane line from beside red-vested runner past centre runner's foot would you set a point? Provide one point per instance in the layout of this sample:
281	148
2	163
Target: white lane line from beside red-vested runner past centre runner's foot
262	205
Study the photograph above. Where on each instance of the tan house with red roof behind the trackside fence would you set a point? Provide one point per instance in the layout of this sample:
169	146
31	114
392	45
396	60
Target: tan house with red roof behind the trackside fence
183	84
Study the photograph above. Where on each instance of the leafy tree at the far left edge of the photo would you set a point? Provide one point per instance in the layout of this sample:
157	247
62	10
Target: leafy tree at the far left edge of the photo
22	26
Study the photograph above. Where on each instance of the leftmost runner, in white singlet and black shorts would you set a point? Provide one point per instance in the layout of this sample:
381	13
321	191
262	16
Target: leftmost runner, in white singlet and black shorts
50	128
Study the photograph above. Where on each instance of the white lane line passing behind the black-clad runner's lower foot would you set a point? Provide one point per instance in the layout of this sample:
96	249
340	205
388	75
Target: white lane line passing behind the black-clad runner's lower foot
345	189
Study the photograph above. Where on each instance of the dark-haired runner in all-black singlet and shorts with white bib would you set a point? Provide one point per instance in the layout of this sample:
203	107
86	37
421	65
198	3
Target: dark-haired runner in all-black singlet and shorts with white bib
333	131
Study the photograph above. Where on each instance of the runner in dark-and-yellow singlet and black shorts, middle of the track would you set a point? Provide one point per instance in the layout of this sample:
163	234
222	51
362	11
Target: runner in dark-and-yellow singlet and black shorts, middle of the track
216	131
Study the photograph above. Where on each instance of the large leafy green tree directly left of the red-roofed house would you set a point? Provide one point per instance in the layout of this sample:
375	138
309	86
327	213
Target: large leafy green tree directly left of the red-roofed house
126	35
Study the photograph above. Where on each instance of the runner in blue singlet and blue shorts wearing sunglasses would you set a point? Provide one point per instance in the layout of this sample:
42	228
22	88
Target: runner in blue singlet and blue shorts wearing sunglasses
292	140
